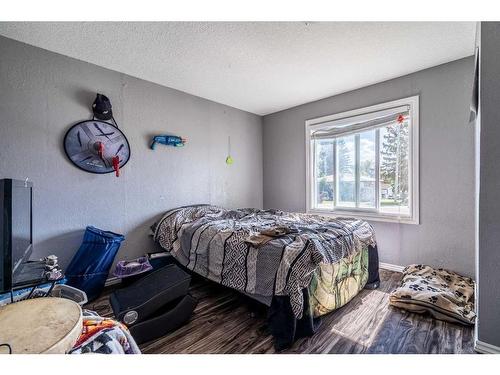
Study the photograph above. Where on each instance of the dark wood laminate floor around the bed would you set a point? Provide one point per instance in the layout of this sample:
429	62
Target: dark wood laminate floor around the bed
227	322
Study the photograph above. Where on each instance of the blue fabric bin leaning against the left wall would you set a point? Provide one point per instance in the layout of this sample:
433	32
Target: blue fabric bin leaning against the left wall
90	266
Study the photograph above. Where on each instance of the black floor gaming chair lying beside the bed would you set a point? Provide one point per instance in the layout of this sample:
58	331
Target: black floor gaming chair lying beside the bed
155	304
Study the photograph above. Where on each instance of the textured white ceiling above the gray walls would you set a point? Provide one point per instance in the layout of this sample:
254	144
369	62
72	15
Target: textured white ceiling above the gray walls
260	67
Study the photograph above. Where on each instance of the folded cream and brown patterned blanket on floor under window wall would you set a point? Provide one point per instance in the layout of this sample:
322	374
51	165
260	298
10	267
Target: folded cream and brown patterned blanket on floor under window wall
444	294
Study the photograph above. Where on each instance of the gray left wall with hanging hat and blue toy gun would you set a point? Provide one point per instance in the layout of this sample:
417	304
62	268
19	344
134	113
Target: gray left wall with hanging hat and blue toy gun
42	94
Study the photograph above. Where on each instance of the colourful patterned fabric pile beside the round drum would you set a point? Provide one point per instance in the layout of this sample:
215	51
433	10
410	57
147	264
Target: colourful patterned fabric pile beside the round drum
104	336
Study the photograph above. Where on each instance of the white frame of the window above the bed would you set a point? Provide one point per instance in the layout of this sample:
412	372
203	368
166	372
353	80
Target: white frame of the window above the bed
413	175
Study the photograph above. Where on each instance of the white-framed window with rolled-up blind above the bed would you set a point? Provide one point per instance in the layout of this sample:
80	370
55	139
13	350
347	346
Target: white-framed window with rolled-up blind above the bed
364	163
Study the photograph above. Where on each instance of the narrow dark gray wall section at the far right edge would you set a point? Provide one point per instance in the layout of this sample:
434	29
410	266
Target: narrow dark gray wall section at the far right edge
489	194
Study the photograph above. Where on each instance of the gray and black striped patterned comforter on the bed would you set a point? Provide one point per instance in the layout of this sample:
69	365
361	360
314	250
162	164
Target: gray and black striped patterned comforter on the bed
210	241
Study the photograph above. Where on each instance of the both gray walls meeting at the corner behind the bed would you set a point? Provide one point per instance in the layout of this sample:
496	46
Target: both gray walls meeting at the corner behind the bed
43	94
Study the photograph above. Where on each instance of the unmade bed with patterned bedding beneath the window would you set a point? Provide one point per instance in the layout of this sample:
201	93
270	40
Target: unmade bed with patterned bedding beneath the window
311	266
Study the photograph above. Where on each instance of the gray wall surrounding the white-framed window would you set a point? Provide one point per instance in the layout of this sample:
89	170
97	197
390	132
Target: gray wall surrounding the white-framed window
445	236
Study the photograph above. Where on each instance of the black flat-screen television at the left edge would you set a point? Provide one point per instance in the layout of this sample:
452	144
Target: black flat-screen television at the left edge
16	229
